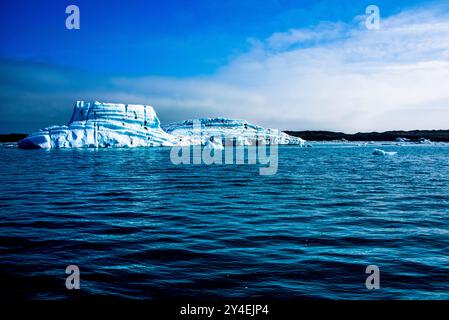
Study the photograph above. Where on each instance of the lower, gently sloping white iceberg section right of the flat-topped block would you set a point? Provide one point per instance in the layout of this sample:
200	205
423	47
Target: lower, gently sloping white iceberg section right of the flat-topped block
223	131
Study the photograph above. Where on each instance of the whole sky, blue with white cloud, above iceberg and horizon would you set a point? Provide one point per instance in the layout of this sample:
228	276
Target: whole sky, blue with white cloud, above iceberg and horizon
287	64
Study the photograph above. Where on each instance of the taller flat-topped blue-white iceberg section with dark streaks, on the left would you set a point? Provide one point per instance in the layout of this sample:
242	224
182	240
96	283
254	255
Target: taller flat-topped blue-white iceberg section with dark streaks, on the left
97	124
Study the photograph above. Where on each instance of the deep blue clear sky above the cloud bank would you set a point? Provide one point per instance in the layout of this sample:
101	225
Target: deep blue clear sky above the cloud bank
175	38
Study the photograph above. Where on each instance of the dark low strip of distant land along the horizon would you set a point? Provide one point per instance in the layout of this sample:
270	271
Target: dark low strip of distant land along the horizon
414	135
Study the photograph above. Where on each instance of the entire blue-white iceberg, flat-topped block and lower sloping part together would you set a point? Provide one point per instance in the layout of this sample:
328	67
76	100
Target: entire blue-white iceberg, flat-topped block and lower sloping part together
97	124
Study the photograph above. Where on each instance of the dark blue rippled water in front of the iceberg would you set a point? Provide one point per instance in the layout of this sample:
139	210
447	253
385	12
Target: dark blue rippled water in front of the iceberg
139	227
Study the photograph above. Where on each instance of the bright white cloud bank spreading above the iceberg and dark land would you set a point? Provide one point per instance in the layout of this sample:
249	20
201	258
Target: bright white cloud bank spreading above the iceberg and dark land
333	76
